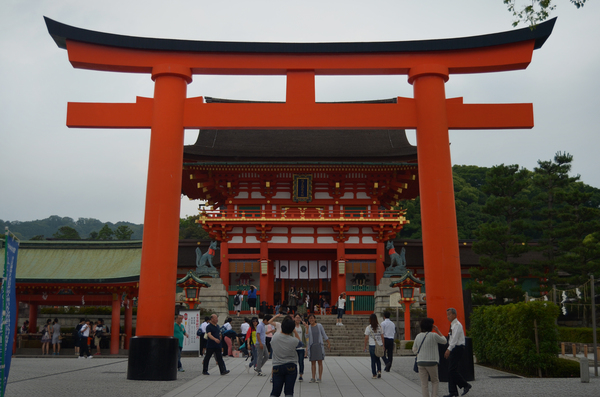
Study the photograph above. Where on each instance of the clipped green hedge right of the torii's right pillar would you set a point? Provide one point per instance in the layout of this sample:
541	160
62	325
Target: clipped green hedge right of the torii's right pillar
504	336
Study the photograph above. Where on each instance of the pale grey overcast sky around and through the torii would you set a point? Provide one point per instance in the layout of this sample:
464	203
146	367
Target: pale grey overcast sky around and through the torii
49	169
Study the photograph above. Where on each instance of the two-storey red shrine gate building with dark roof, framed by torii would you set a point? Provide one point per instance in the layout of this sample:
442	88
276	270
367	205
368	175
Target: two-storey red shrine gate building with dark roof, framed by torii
302	208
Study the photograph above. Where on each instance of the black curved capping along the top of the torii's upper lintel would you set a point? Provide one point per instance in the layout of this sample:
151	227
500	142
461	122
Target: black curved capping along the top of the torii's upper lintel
61	33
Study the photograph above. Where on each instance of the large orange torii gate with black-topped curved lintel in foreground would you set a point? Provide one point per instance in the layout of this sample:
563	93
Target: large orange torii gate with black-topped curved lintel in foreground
172	63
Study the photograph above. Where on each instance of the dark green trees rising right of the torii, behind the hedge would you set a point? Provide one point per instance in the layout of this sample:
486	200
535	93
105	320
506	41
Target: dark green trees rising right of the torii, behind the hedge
510	211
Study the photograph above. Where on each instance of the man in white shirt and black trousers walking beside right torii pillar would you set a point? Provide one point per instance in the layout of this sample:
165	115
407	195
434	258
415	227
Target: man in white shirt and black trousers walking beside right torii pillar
456	349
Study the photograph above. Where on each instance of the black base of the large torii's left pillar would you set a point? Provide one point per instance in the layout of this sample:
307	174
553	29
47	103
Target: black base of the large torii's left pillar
153	358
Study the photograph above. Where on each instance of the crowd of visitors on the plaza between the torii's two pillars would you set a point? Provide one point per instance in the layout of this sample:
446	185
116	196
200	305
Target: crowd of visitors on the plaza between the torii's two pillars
299	336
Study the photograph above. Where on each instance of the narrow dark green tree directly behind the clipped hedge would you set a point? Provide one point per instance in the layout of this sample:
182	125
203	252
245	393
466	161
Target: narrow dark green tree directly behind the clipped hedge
502	241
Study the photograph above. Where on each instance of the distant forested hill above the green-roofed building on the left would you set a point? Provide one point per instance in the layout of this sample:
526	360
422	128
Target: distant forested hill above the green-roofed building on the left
87	229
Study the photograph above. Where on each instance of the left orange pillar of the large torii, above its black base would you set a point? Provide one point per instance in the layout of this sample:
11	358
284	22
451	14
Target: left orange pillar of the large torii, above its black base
156	308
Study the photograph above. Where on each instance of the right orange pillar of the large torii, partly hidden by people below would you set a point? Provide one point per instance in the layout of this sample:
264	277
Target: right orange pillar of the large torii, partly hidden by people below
436	190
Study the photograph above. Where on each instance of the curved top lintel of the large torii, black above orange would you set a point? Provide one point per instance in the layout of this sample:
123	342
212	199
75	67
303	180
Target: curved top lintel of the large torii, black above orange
461	55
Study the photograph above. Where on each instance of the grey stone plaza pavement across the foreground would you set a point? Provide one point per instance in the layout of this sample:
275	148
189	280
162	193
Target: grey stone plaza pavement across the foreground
342	377
